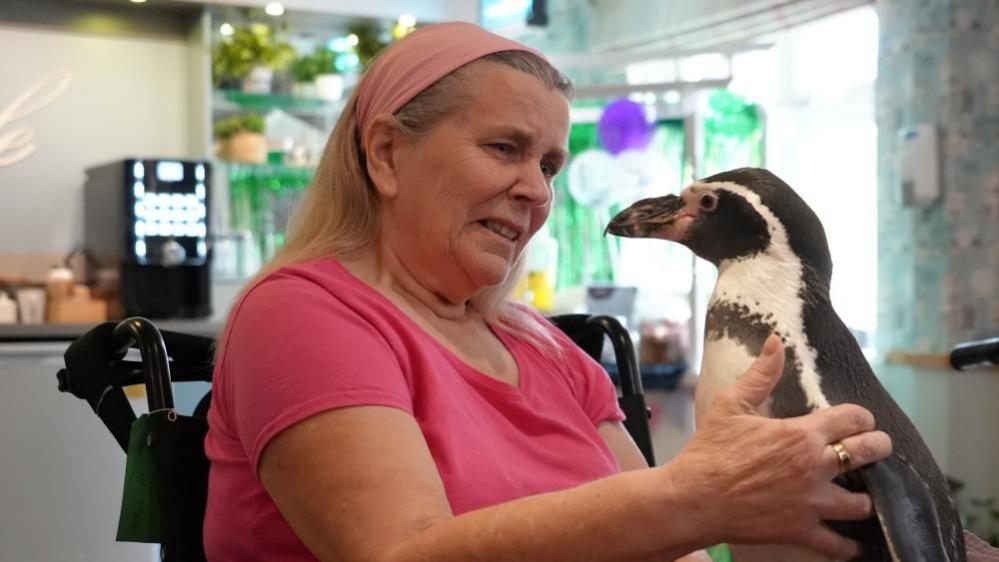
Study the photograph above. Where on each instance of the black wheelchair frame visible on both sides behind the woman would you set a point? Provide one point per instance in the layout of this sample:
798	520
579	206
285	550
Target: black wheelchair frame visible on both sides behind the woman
97	371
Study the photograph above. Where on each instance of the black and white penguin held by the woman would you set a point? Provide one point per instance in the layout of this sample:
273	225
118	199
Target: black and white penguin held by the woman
774	270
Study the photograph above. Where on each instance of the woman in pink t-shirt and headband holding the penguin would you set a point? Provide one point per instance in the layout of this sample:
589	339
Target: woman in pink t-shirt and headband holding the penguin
378	398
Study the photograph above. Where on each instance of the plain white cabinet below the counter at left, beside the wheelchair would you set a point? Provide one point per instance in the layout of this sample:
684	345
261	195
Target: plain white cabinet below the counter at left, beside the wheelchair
62	470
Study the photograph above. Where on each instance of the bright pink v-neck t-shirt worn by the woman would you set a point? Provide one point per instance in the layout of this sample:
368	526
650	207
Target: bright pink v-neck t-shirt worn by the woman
312	337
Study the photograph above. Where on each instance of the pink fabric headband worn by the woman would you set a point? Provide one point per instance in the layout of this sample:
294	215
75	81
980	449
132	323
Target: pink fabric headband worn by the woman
420	59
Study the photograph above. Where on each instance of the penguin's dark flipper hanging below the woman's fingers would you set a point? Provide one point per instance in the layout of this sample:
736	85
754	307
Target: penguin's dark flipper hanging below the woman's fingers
908	515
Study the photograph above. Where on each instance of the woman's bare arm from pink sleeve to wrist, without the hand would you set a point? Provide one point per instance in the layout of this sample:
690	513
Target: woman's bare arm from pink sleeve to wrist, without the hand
359	484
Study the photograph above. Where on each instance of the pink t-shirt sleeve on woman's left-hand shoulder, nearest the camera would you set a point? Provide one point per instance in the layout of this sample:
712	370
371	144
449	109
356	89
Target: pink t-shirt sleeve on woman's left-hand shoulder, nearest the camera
295	350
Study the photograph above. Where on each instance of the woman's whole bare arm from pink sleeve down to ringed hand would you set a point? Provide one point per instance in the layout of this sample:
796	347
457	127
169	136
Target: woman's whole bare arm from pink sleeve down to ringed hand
359	484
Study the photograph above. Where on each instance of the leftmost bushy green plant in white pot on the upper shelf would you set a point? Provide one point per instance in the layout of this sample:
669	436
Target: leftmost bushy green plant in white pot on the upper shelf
251	54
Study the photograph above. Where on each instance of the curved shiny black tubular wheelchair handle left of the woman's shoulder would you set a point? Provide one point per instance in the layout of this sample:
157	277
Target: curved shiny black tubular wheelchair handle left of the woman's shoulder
155	363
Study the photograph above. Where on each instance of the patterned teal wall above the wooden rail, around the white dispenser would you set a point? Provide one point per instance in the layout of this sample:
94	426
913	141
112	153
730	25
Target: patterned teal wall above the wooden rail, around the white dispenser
938	267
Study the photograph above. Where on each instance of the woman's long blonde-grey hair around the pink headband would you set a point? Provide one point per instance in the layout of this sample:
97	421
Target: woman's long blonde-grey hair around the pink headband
339	214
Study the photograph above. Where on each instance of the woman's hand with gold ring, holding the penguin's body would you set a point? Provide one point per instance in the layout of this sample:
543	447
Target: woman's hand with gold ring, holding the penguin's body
765	480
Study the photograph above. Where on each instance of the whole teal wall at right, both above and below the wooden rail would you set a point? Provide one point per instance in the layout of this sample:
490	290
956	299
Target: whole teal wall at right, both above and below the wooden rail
938	266
